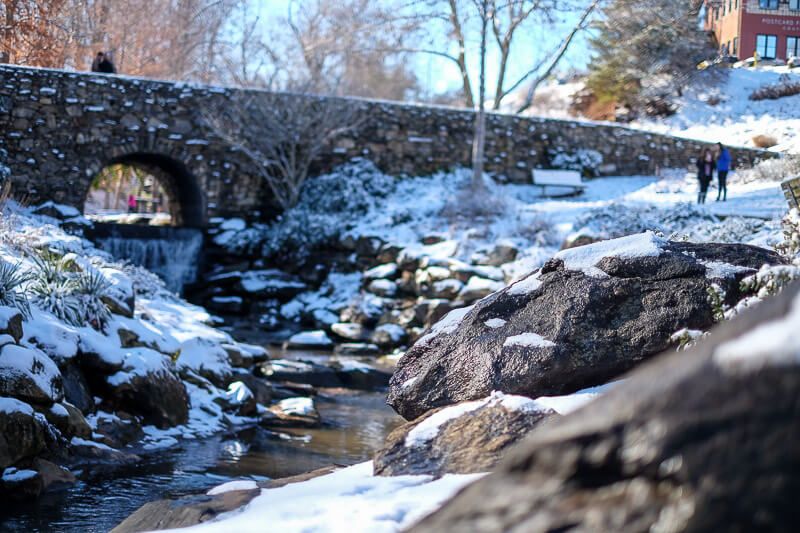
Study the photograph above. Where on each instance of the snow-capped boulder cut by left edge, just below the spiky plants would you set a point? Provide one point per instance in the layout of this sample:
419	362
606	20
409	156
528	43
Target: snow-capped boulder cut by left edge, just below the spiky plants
29	375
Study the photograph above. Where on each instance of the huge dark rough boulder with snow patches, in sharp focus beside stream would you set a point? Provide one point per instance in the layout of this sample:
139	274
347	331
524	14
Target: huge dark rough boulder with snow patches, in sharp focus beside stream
589	315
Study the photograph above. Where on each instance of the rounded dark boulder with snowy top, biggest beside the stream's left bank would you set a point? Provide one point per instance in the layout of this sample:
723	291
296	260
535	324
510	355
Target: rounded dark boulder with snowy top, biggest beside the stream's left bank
148	386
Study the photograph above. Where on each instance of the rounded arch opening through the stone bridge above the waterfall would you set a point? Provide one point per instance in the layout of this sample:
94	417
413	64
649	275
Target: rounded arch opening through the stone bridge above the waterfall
164	190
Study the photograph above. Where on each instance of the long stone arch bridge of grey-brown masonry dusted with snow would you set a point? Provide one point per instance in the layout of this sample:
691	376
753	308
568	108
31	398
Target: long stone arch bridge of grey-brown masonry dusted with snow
61	128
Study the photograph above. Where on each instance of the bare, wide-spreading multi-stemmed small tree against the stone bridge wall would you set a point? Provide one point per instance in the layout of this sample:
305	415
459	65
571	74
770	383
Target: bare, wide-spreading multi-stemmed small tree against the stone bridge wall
284	135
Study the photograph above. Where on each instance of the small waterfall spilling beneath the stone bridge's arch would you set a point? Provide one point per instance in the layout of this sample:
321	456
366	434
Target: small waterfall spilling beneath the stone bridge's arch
171	253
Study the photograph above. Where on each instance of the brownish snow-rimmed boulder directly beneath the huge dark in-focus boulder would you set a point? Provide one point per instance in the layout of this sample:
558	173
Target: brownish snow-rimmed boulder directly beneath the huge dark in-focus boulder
468	437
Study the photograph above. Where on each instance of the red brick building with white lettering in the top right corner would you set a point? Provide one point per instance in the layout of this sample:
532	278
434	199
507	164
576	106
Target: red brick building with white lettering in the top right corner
743	27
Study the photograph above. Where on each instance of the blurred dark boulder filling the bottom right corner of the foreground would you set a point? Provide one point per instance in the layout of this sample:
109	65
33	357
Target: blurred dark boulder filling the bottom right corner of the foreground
701	440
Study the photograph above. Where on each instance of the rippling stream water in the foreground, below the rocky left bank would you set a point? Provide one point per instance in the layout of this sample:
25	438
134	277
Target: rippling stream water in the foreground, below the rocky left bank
354	426
